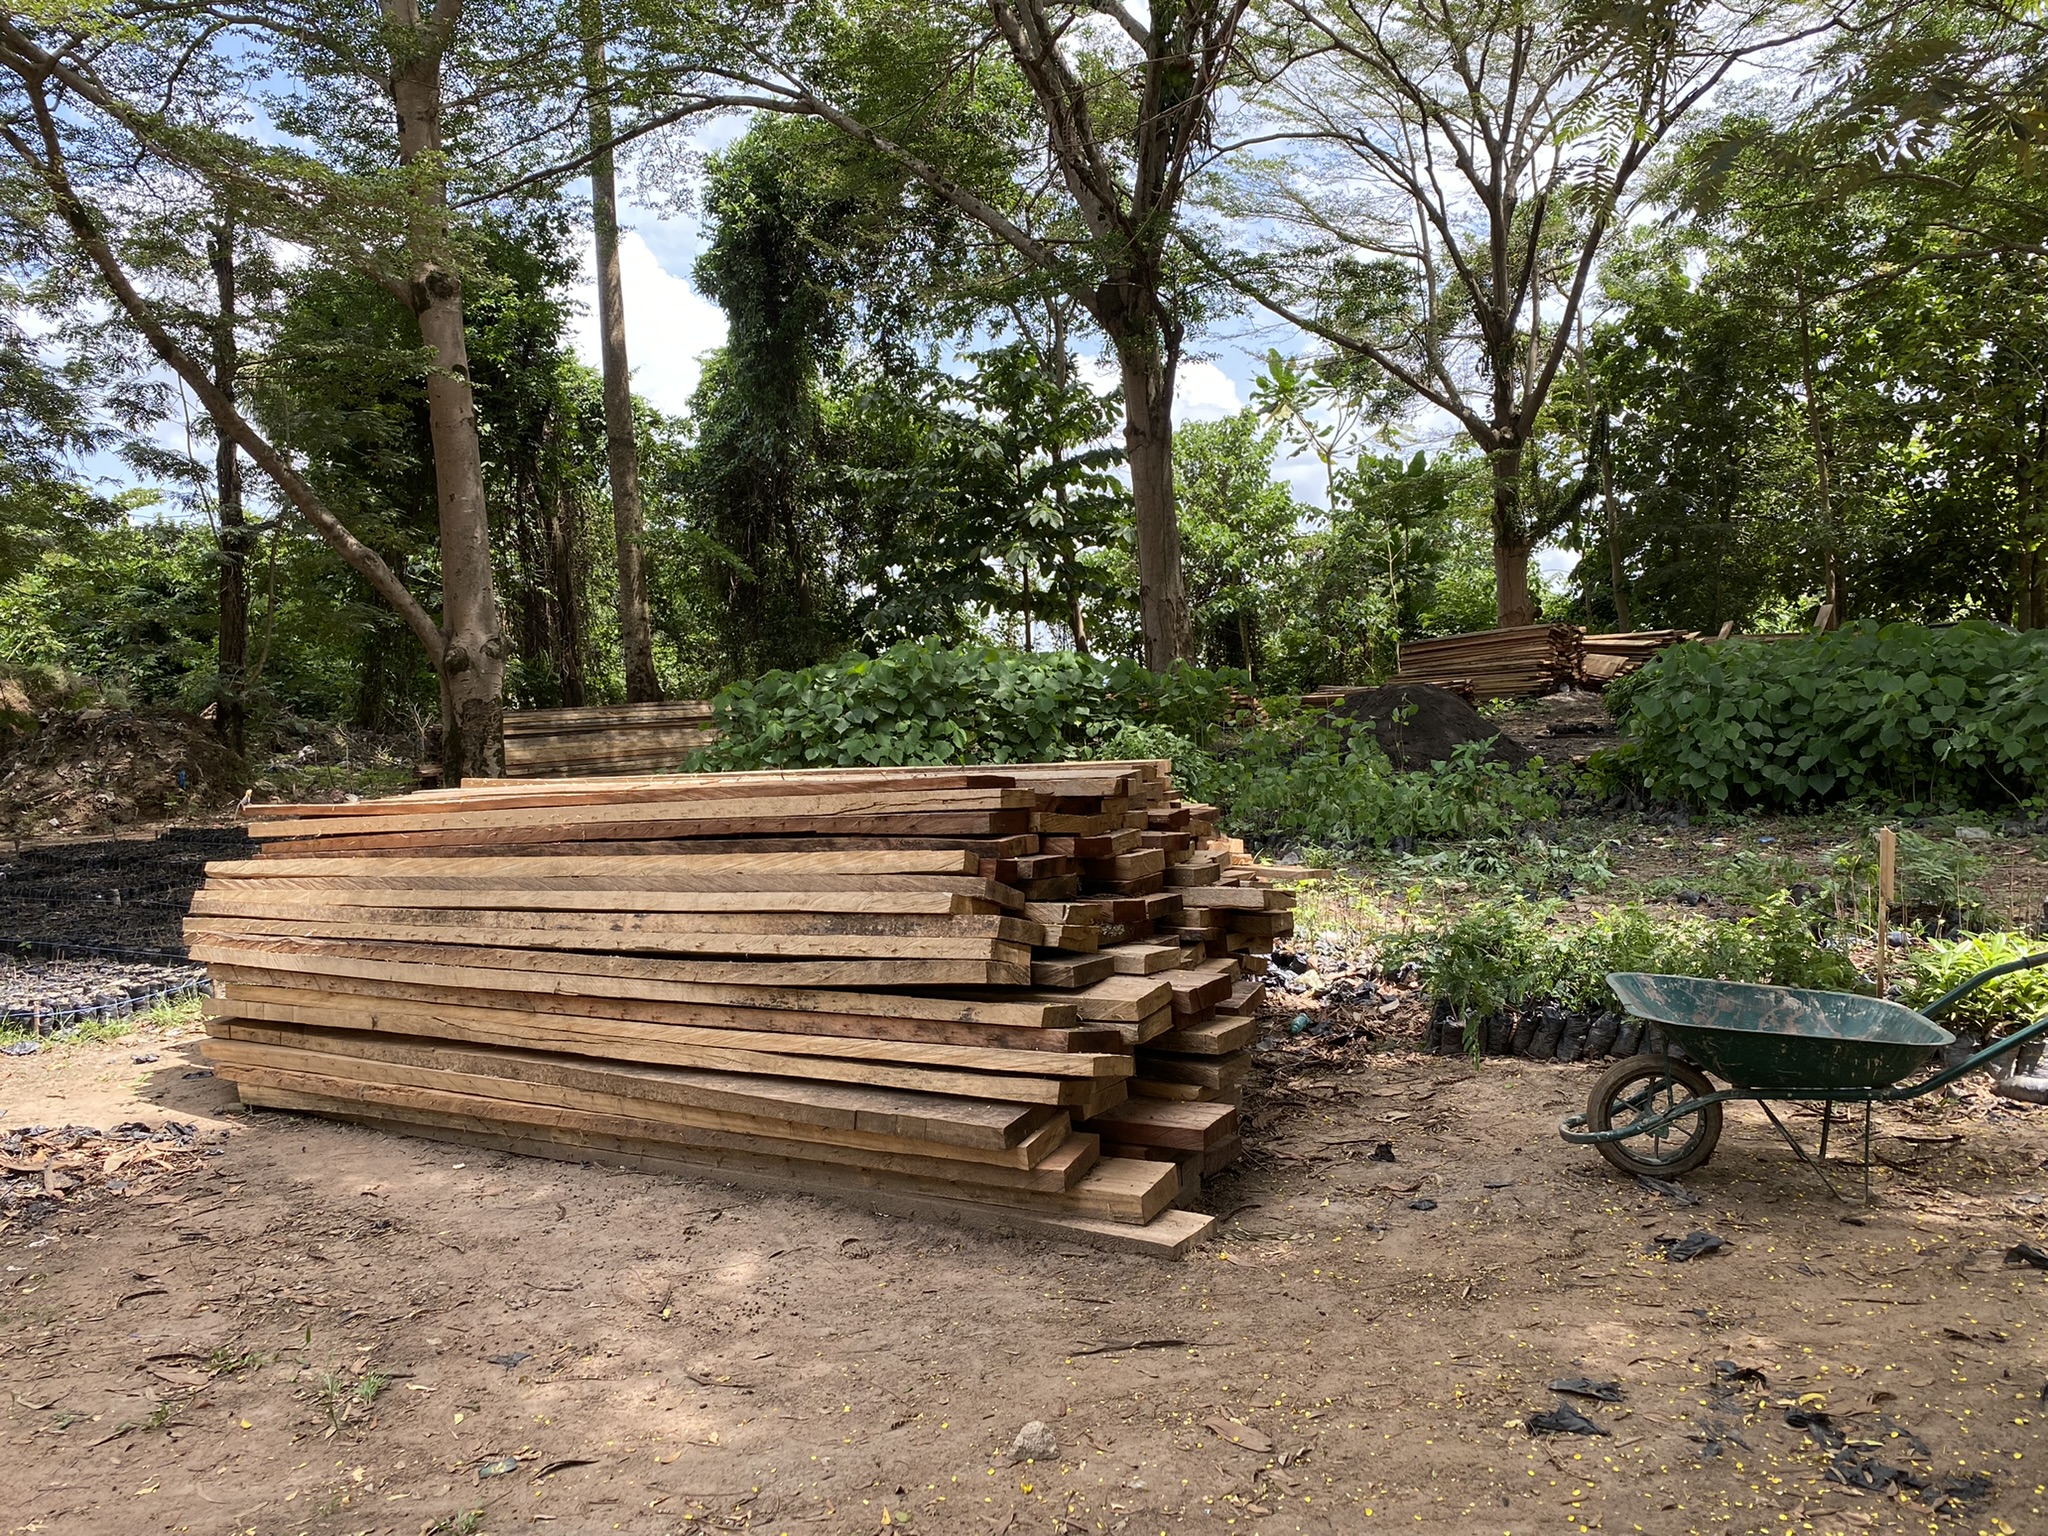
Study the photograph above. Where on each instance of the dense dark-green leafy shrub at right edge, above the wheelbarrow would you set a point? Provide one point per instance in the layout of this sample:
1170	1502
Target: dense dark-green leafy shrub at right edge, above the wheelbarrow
1900	714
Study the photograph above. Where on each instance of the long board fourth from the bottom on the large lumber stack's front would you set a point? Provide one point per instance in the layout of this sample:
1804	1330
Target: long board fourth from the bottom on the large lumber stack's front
986	1125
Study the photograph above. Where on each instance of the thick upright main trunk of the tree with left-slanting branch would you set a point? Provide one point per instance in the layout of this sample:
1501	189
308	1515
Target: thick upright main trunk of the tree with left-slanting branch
474	650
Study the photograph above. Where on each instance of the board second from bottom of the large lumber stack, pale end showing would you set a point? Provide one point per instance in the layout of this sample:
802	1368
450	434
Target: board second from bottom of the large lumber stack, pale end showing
1115	1189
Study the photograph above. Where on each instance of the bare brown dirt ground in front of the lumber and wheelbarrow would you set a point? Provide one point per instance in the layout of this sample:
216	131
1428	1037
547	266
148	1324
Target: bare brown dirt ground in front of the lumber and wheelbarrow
331	1330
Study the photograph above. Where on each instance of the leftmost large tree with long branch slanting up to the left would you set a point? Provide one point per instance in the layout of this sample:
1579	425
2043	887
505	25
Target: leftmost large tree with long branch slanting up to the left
87	116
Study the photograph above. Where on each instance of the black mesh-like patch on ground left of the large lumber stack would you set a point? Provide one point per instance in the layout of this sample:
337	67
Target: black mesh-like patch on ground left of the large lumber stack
93	931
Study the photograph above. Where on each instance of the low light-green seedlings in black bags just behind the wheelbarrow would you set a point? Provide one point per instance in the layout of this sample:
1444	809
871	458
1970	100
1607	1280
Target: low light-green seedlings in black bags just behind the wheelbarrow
1517	953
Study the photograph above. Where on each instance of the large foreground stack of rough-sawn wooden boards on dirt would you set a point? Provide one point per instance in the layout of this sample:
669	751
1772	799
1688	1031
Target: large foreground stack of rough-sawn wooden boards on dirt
1019	994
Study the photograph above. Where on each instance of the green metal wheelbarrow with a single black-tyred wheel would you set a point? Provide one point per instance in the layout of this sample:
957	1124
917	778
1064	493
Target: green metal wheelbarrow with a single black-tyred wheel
1660	1117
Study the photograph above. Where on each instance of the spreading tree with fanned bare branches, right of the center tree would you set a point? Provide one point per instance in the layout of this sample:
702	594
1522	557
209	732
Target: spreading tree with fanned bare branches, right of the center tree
1457	175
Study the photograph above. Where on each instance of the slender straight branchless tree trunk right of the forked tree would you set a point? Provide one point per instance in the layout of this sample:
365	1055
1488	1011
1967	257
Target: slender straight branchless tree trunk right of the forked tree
622	447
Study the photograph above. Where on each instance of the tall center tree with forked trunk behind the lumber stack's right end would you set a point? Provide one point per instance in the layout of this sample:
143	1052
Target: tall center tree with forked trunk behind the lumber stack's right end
1123	103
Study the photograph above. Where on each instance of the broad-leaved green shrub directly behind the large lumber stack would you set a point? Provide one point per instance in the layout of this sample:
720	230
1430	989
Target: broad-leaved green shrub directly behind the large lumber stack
923	703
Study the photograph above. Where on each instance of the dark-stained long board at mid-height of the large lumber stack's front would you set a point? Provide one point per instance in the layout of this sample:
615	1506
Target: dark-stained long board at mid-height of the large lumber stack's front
781	974
